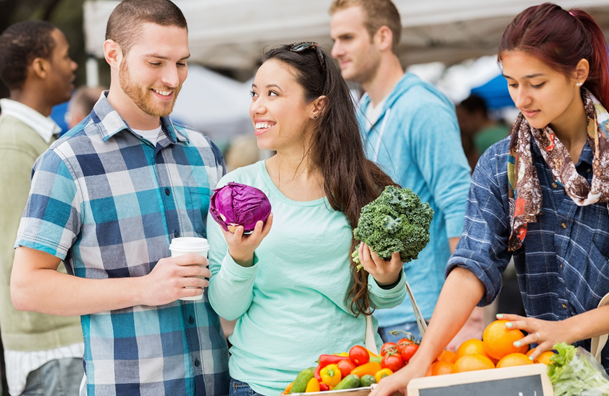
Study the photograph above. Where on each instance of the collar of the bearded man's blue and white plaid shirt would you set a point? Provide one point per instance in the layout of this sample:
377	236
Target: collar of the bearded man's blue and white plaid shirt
109	122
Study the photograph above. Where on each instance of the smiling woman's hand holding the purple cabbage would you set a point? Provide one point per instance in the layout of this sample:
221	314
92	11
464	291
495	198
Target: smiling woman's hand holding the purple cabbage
241	247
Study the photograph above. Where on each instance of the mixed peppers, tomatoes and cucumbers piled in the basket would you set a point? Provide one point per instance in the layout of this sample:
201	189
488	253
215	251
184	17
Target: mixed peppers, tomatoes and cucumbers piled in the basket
354	369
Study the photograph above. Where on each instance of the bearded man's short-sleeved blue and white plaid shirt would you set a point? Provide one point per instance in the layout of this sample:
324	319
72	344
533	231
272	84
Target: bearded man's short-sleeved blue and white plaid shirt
108	203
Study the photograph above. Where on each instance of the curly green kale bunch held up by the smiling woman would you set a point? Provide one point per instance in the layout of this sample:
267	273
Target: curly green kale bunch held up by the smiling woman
397	221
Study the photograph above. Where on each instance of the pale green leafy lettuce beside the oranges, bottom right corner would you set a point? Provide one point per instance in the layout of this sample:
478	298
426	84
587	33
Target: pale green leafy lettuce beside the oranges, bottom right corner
574	372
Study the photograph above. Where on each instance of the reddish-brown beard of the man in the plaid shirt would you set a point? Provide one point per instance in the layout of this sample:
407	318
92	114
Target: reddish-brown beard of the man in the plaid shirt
142	97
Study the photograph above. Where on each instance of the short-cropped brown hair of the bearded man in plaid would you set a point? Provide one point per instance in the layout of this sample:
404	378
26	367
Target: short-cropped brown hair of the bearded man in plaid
124	24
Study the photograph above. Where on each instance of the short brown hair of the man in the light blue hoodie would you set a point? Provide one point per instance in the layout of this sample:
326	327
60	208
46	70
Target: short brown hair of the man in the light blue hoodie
377	13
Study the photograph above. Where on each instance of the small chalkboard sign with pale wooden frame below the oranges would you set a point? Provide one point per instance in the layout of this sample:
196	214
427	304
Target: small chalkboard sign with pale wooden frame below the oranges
529	380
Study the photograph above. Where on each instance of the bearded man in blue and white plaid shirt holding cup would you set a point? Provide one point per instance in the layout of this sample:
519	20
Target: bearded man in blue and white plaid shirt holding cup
107	199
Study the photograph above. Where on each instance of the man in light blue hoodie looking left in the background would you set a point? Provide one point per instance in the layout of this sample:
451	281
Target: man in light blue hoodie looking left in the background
410	129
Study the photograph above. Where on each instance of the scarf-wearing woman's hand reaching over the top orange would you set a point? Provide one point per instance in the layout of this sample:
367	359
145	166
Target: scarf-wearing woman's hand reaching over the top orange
544	333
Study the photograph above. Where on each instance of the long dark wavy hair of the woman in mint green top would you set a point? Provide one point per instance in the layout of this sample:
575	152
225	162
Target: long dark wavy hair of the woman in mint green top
350	180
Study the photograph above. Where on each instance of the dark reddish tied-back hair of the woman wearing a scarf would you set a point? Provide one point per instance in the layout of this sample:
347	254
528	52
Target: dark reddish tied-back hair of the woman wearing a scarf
562	38
